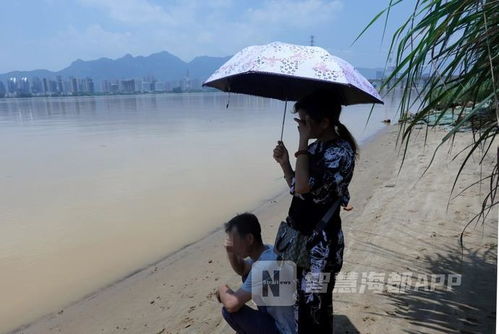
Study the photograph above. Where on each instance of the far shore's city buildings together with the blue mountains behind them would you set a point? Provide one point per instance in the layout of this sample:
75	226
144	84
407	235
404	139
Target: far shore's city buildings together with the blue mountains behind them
156	73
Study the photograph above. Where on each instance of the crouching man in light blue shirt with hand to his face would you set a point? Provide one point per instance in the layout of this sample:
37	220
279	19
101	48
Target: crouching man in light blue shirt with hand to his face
243	239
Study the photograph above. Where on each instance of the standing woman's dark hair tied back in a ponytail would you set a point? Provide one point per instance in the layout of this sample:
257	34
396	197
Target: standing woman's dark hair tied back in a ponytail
321	104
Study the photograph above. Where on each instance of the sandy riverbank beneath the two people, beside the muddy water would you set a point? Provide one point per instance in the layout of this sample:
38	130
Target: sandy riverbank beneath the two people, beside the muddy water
398	224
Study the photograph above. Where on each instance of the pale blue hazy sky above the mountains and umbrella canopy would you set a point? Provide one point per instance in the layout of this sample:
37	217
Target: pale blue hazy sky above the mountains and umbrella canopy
50	34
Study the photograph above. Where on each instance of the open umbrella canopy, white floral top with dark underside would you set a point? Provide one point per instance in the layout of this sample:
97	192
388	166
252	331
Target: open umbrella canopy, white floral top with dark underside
288	72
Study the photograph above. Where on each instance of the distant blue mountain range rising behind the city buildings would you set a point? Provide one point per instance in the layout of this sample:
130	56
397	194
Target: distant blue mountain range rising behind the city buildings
162	65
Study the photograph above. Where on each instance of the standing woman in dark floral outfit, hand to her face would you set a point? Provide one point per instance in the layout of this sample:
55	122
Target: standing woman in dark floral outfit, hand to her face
323	171
